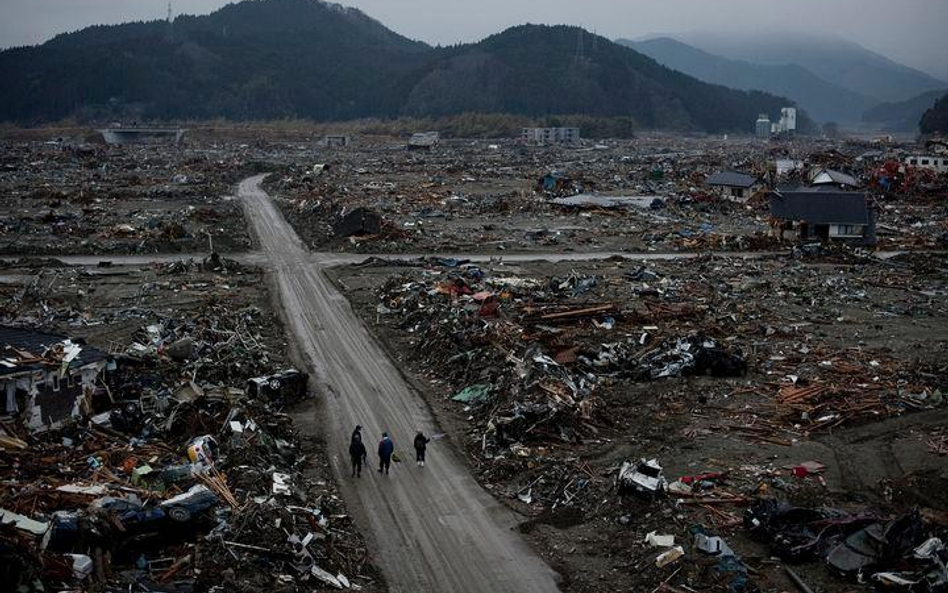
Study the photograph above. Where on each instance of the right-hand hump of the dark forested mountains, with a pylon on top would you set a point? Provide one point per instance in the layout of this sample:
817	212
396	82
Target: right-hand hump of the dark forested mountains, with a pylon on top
538	70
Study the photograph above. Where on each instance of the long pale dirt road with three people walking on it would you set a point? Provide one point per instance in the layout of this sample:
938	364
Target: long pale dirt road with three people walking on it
433	528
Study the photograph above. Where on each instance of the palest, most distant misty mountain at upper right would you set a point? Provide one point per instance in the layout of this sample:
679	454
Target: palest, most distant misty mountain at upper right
840	61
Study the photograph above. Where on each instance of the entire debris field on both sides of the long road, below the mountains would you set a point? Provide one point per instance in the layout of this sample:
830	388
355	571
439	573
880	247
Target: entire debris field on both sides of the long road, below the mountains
672	388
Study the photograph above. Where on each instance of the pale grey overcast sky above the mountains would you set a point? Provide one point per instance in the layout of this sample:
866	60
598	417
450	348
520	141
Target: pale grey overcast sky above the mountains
914	32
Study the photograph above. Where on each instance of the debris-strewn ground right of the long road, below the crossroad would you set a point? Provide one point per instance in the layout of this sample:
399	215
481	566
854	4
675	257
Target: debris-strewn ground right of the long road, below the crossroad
606	400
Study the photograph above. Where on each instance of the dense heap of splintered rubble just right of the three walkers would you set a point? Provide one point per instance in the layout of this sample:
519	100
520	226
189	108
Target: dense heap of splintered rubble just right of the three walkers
529	354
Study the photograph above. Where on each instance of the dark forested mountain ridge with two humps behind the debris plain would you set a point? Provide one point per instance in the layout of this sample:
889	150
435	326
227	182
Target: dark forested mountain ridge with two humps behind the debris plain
267	59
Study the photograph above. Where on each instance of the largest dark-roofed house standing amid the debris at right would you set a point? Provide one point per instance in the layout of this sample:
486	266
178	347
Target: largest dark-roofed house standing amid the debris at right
824	214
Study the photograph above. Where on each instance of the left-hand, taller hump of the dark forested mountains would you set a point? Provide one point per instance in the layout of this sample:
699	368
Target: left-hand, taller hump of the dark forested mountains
264	59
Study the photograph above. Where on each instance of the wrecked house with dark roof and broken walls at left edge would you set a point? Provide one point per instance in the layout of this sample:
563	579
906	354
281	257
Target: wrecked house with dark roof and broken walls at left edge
46	378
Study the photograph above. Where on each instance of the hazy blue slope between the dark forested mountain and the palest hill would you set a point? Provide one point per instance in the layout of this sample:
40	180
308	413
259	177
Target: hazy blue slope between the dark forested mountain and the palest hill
823	100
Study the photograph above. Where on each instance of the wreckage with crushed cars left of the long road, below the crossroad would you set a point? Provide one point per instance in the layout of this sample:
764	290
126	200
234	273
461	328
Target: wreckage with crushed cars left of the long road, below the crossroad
180	468
